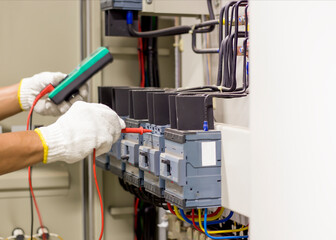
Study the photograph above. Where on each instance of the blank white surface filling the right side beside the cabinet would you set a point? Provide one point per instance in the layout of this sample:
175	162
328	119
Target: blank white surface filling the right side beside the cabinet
293	120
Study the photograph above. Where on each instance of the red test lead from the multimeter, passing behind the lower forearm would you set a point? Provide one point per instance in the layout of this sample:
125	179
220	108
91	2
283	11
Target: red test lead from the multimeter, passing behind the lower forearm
46	90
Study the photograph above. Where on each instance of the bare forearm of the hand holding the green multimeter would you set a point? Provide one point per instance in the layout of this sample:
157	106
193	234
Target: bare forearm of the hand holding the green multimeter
9	103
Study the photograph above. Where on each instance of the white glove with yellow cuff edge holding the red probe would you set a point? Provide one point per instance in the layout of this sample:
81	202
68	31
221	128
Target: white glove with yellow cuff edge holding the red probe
75	134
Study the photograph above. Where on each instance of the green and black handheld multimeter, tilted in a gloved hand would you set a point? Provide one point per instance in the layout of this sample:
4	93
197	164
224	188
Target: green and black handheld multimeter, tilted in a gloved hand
78	77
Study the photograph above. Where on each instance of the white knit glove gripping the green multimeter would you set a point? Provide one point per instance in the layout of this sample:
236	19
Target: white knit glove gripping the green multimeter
31	87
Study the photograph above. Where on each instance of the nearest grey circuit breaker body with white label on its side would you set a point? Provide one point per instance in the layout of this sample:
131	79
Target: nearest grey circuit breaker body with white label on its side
191	166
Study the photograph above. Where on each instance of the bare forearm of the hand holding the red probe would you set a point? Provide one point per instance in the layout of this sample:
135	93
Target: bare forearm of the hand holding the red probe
19	150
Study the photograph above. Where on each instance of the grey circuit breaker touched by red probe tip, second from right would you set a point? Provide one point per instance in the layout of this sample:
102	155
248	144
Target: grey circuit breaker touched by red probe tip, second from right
149	159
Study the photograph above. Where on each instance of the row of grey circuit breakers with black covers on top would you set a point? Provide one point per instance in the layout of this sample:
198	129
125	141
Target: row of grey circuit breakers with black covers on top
178	161
